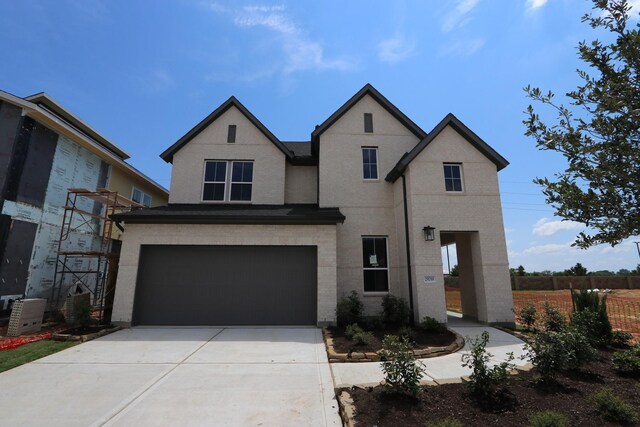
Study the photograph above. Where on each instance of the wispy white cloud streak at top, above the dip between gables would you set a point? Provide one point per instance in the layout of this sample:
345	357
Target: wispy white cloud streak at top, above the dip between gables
300	53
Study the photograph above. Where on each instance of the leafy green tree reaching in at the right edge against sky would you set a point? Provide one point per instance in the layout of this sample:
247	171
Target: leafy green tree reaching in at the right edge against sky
598	134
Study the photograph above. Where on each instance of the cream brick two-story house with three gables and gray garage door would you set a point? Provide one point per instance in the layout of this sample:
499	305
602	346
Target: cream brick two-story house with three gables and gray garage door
260	231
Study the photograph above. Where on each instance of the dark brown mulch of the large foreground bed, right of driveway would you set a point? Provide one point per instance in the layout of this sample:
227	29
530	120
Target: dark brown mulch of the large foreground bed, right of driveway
570	396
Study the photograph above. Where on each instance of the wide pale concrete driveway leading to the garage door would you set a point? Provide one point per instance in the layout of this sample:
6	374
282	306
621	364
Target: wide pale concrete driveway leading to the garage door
177	377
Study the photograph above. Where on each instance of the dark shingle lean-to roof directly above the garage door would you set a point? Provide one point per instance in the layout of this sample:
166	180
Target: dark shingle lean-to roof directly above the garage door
233	214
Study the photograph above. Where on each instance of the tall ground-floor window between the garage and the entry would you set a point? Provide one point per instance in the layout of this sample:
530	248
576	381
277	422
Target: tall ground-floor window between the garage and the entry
375	264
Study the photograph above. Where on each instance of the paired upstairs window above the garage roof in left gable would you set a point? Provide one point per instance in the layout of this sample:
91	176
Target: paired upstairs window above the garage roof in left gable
227	181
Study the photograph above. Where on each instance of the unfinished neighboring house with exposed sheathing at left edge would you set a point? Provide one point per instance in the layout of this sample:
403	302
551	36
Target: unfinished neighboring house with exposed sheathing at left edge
45	150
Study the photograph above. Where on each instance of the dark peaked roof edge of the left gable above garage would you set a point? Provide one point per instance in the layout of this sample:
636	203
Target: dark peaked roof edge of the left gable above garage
167	155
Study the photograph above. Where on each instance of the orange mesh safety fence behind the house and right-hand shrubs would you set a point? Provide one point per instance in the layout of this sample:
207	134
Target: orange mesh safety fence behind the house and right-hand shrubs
624	313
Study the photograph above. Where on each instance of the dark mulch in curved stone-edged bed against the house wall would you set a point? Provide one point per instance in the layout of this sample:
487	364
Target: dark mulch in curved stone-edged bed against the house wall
343	344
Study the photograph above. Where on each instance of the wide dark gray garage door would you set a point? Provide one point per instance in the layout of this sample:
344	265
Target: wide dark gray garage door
226	285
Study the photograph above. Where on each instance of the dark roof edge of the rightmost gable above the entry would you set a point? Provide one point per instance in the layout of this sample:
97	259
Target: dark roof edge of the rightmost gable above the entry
463	130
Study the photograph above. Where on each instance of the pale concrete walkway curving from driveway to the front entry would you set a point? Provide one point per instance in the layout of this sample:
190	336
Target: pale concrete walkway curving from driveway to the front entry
438	369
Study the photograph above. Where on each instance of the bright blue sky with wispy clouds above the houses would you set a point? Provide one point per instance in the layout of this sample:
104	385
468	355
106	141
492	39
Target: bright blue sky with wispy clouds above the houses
143	73
